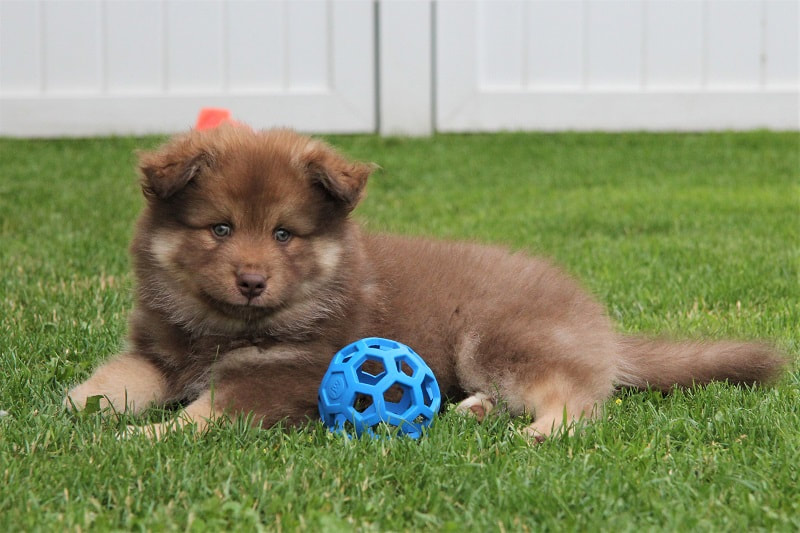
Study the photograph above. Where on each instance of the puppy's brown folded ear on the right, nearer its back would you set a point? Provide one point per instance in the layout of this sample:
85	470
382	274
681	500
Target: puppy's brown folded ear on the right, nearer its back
344	180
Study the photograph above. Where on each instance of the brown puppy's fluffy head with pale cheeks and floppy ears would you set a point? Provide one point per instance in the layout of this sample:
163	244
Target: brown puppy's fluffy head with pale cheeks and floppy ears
240	225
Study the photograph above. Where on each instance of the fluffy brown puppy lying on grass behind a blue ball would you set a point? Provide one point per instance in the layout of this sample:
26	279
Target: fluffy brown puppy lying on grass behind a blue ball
251	275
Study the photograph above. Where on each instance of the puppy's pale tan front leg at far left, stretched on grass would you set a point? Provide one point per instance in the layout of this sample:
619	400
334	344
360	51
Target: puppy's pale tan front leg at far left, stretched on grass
127	382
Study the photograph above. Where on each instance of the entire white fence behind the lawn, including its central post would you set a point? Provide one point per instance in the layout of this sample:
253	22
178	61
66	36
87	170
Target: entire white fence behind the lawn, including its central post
77	67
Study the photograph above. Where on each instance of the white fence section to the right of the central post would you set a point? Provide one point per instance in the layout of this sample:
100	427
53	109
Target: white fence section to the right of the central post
617	64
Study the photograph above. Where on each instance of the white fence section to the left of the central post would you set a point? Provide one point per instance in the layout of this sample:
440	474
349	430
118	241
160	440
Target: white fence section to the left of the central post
78	67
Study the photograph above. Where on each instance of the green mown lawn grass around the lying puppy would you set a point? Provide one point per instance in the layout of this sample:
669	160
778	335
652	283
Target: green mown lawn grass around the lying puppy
679	234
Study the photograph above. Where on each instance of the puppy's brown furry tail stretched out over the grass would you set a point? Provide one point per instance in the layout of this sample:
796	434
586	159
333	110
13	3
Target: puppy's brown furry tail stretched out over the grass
661	364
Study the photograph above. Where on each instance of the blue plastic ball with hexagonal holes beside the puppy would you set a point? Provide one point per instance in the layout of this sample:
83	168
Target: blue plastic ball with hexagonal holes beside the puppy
375	381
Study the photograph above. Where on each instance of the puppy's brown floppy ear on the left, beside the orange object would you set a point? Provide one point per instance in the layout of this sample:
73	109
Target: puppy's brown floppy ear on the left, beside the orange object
170	168
